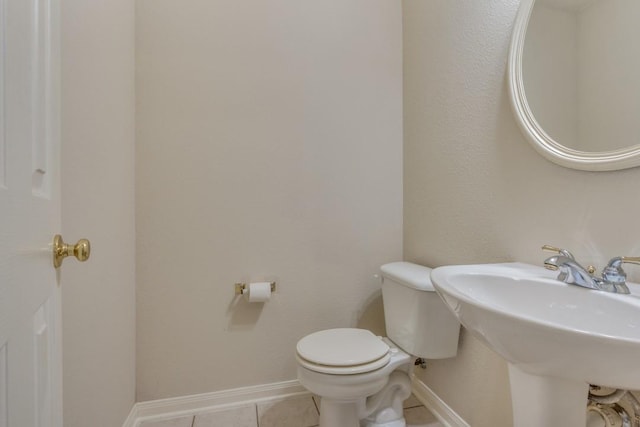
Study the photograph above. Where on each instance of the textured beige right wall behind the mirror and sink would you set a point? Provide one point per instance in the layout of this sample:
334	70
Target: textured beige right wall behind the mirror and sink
476	192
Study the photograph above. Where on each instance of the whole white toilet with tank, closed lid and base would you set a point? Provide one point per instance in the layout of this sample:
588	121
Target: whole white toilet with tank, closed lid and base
363	379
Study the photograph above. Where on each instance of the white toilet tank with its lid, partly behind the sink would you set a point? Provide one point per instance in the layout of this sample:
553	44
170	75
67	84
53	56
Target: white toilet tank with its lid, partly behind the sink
417	320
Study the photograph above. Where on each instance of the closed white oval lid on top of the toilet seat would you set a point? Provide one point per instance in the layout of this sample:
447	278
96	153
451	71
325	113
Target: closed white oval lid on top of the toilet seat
342	347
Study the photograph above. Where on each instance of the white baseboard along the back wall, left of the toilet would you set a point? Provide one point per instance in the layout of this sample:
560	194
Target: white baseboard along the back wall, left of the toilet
188	405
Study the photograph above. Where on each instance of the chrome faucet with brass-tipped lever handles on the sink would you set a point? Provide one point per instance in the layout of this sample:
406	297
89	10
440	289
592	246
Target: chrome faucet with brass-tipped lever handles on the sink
613	276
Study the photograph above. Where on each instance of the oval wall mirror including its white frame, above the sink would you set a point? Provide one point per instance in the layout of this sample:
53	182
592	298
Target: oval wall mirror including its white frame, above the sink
574	80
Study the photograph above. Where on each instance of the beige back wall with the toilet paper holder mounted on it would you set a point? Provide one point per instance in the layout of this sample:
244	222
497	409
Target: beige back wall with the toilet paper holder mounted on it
269	147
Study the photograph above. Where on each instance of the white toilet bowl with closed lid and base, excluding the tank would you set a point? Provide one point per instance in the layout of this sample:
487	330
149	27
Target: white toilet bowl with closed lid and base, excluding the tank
354	380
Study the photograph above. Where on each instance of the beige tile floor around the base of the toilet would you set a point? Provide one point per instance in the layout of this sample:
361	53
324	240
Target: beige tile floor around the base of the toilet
291	412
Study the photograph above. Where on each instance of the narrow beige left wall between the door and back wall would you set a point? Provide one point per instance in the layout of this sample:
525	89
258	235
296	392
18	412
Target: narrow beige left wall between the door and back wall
97	196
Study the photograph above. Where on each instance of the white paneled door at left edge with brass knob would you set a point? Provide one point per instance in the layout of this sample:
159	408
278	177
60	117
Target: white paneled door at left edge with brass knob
30	342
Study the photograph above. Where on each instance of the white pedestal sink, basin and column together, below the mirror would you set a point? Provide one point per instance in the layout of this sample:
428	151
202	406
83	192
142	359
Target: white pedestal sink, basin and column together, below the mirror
557	338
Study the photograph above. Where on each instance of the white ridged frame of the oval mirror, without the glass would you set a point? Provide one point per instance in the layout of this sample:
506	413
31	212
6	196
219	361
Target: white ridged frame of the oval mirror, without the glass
545	145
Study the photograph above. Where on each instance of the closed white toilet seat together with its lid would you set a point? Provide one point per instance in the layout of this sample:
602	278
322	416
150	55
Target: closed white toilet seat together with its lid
342	351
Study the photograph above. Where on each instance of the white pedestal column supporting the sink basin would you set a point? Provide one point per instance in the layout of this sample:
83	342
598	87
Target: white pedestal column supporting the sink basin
547	401
